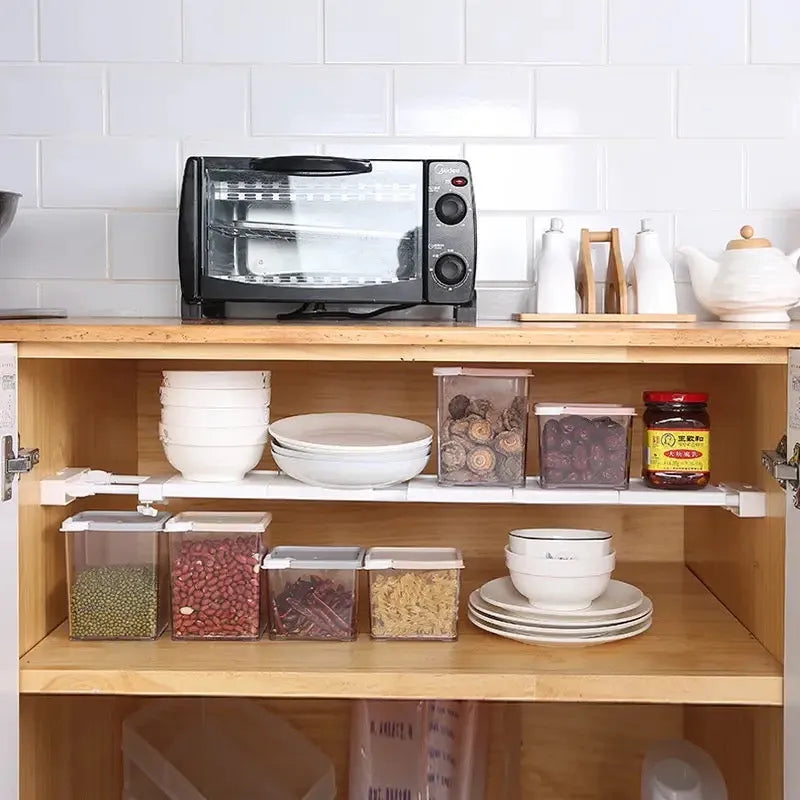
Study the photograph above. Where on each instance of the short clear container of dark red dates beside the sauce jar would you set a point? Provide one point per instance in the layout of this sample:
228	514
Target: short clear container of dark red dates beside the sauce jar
584	445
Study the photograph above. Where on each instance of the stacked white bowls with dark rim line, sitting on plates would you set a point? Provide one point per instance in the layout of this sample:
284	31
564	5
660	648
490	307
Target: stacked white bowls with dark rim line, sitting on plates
560	569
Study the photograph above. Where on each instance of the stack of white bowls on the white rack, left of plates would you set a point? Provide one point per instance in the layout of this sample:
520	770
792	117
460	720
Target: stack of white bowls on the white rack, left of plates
214	424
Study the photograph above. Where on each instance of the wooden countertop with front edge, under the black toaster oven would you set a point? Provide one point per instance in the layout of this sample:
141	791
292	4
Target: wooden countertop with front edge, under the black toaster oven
396	341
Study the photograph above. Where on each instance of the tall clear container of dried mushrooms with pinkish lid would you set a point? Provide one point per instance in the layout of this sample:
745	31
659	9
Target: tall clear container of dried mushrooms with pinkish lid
482	426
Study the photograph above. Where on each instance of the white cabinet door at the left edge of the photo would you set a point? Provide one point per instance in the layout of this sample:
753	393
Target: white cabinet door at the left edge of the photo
9	588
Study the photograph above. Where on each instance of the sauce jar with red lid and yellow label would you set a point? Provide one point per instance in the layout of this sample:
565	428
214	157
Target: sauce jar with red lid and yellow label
677	440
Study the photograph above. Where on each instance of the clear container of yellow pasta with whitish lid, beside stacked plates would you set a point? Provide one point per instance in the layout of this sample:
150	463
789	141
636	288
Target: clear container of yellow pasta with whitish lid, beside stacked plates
413	592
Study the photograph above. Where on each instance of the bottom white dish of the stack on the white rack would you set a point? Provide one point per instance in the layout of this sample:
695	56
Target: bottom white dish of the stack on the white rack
372	474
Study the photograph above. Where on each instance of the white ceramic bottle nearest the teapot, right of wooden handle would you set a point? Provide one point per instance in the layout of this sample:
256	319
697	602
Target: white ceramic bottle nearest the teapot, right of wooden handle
650	279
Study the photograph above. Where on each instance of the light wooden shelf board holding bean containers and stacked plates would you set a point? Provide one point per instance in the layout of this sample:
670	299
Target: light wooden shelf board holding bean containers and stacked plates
695	652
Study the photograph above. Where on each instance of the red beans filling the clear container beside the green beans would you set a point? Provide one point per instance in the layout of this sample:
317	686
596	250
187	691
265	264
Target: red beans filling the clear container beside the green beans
216	588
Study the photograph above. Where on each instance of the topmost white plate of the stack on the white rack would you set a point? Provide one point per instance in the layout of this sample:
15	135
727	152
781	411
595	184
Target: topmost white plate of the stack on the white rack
370	433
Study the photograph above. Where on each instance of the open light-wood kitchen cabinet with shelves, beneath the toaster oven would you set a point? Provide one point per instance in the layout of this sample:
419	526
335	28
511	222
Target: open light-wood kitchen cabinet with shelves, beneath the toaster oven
715	666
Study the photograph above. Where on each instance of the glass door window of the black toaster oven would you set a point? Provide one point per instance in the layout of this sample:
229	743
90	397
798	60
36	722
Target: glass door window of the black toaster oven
321	231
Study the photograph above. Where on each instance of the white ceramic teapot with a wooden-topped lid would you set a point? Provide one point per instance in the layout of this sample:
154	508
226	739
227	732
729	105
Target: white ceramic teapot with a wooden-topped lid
752	282
